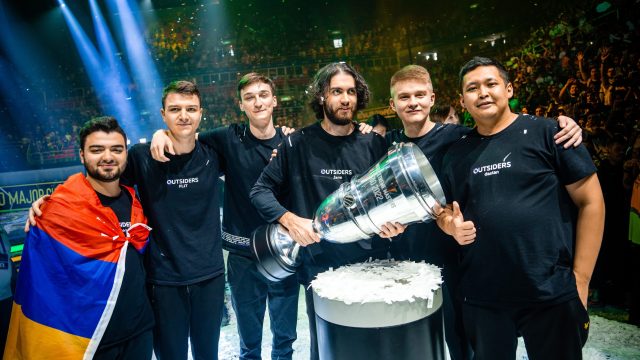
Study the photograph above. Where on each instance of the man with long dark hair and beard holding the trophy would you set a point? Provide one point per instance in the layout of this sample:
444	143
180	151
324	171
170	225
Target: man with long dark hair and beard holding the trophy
311	164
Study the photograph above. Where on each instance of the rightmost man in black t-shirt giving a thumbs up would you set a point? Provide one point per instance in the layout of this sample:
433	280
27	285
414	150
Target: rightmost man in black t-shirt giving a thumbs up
529	215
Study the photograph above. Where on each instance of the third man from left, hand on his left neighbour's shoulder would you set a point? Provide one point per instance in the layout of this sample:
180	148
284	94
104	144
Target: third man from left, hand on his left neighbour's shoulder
244	150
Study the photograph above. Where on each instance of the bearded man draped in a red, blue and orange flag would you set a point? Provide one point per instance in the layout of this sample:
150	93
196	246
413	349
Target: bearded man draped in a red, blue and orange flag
96	218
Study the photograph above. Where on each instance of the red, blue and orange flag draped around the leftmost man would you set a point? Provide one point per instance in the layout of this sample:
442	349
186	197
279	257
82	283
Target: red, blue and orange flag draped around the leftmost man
72	268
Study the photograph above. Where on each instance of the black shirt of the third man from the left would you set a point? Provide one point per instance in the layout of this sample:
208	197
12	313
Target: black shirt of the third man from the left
242	159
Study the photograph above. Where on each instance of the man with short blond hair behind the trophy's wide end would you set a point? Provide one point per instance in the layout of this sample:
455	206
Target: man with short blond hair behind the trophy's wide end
412	98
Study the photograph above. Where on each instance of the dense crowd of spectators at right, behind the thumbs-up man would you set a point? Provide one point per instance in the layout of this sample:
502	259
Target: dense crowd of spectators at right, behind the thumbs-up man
590	71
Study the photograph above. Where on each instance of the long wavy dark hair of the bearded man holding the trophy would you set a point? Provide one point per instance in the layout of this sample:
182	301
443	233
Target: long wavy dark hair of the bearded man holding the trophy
322	80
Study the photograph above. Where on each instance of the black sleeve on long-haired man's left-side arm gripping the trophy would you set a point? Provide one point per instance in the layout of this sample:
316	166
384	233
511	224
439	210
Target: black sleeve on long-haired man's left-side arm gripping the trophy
264	192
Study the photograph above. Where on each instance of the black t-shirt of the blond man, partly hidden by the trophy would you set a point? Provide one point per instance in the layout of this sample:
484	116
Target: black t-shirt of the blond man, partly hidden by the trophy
425	241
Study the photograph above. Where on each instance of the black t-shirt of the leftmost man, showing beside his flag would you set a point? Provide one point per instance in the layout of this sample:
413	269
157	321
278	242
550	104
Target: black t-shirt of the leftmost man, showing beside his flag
132	314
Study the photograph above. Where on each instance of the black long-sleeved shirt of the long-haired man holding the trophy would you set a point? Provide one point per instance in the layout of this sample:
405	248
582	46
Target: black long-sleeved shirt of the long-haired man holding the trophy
310	165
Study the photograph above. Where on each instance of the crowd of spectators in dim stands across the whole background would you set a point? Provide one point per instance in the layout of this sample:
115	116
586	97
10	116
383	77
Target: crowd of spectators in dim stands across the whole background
558	69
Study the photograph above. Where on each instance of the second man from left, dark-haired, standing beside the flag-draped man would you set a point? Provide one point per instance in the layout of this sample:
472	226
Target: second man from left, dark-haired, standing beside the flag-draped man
185	264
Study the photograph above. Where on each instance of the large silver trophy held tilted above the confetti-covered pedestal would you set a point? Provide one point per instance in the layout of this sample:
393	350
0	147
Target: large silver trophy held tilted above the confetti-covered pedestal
401	187
